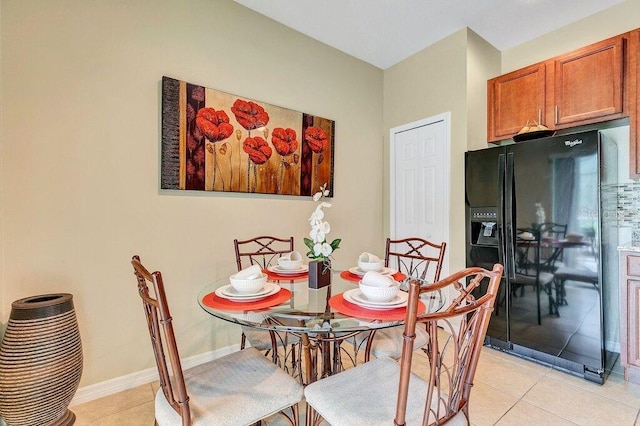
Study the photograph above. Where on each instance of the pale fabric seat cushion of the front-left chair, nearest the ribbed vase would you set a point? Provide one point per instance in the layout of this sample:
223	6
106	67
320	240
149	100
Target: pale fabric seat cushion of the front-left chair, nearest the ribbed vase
238	389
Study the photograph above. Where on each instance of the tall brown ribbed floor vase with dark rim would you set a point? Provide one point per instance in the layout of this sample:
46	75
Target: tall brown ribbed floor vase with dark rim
40	361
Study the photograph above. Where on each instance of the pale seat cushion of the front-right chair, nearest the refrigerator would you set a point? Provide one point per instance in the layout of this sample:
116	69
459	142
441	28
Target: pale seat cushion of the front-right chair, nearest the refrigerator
366	396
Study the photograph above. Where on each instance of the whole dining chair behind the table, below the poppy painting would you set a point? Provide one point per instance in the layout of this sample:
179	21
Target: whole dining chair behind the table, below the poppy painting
264	251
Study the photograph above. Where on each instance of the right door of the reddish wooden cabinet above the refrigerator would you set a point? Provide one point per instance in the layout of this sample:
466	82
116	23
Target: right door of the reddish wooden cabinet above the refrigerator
588	84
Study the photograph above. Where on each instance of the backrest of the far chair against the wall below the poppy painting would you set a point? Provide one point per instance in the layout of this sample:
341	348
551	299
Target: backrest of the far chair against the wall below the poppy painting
263	251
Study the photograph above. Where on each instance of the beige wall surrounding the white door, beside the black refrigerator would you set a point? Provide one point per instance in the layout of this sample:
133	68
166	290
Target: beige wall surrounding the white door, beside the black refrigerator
449	76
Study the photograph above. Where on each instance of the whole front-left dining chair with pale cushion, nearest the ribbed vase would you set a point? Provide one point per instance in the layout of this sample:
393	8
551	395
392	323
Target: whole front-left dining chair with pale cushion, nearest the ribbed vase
238	389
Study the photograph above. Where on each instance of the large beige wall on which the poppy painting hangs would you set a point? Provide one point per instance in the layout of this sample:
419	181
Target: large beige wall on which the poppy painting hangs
79	151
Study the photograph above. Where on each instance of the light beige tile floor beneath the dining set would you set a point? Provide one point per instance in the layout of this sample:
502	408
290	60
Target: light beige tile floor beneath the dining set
507	391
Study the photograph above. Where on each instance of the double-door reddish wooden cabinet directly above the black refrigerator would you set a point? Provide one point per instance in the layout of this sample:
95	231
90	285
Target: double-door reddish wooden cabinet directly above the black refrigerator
582	87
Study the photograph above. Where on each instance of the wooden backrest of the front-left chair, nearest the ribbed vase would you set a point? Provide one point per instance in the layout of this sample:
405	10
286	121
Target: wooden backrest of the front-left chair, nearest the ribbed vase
163	339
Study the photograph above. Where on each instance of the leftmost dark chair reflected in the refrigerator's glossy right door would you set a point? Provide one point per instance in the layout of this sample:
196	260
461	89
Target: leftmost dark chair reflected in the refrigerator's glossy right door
529	271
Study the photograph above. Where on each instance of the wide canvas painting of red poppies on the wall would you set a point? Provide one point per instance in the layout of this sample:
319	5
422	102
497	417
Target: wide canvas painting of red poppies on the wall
216	141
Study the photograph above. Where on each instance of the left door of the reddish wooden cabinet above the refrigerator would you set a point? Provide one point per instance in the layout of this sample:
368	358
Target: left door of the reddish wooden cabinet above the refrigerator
514	99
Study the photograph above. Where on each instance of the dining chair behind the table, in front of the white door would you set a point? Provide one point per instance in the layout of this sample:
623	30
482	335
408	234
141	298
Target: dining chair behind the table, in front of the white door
416	258
